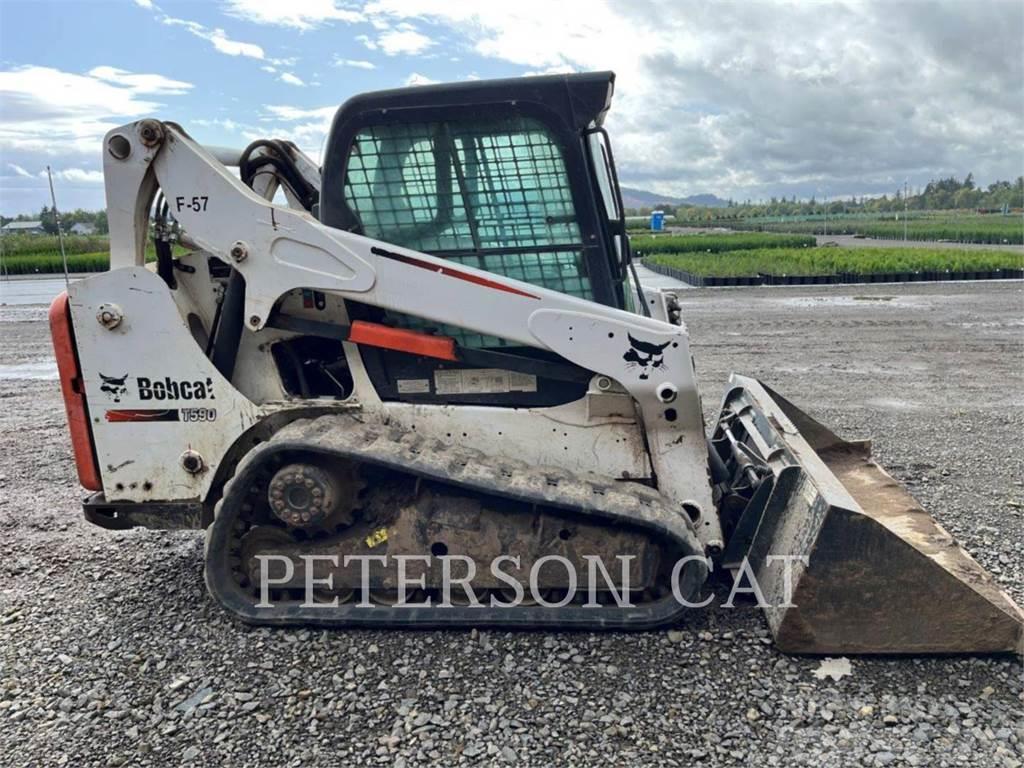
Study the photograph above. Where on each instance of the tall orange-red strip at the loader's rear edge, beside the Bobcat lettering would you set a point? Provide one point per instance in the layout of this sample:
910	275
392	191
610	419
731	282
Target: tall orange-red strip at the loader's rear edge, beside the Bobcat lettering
74	395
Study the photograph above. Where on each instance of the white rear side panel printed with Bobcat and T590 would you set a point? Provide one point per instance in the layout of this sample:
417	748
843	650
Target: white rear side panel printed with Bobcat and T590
141	460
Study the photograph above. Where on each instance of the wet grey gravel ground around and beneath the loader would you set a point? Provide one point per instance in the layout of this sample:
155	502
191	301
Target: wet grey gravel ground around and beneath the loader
113	655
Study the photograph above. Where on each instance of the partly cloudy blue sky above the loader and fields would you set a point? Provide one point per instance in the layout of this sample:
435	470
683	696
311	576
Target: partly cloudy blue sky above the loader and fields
745	100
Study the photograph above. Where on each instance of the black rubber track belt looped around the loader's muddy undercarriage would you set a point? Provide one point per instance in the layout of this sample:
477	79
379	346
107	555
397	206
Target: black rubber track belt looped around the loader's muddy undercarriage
348	437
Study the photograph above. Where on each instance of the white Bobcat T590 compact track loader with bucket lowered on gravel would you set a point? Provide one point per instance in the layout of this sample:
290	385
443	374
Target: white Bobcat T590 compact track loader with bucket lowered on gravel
432	356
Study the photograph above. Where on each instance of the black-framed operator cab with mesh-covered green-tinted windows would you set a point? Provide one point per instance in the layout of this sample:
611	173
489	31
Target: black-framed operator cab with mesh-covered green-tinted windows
513	177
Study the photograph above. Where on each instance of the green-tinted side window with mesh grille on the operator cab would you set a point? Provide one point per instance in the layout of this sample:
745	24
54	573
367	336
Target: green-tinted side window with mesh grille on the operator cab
493	195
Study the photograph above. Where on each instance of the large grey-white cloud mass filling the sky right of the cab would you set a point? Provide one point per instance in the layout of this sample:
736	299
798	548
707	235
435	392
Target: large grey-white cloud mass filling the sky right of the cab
774	98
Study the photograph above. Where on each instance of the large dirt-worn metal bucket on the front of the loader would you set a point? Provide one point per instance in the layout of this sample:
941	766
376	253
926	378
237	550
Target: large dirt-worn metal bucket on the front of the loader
878	575
